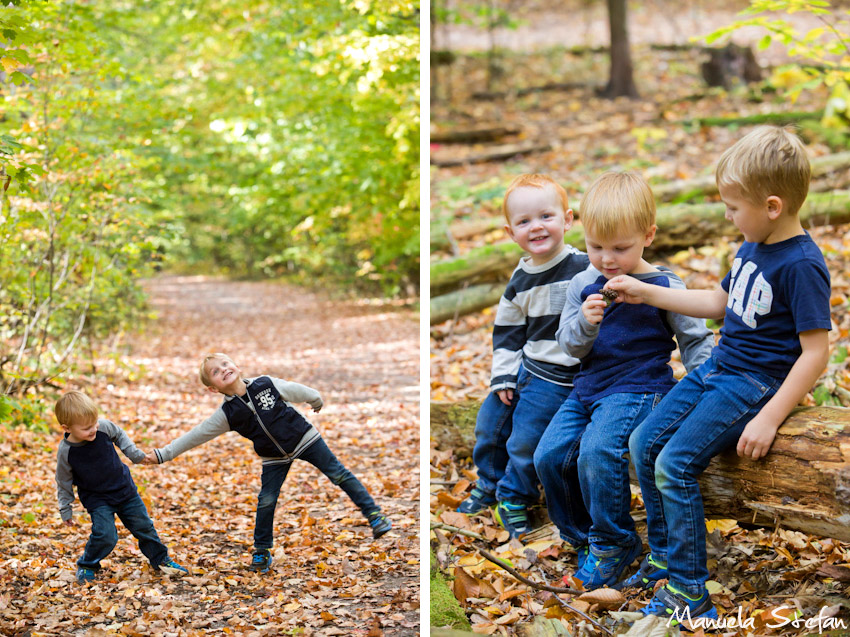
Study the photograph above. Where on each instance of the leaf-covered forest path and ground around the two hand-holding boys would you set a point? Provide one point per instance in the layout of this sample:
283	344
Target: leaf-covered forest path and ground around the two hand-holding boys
330	577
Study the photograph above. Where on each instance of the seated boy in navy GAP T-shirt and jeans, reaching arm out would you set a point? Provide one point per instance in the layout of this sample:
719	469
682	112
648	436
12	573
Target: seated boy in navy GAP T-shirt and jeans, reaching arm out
773	346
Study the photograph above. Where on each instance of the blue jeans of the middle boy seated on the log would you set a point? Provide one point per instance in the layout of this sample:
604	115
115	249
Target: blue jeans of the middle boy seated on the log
581	461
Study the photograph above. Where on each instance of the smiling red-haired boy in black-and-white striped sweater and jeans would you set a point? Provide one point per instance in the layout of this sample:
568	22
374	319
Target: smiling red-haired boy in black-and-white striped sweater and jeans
531	376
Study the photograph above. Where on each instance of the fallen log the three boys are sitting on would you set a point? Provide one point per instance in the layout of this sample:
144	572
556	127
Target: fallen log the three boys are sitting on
802	484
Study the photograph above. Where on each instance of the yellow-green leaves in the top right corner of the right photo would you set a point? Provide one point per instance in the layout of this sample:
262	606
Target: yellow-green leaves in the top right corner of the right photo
822	54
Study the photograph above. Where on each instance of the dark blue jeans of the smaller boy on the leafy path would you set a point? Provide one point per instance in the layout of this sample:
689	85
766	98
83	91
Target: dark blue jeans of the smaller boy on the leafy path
104	535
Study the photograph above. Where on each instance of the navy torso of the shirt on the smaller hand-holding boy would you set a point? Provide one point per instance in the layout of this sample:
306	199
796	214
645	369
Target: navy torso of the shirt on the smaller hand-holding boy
100	476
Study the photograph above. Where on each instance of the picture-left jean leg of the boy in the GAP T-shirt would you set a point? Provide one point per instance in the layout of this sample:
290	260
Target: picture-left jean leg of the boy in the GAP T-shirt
649	438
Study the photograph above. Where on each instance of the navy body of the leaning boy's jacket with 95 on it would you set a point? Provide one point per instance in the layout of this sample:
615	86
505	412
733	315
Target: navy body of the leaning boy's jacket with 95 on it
276	429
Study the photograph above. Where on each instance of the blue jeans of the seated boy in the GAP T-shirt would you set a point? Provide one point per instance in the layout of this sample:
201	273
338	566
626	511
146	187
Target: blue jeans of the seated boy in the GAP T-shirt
703	415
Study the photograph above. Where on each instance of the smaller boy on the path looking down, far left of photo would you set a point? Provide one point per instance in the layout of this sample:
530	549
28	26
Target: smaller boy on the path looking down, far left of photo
87	459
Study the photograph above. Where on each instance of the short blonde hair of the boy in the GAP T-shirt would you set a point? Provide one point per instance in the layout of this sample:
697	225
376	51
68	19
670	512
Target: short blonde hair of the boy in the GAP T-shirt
768	161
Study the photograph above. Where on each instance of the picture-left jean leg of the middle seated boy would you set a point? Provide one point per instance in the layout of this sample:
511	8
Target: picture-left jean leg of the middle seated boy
556	462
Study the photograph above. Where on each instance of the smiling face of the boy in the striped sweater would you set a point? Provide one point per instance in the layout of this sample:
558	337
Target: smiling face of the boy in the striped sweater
537	221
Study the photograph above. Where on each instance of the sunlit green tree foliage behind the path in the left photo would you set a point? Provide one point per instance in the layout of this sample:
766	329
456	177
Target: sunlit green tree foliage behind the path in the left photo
255	137
